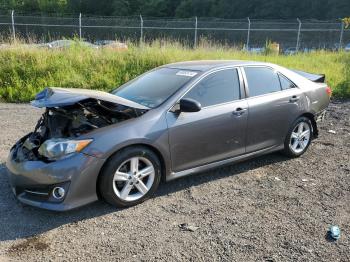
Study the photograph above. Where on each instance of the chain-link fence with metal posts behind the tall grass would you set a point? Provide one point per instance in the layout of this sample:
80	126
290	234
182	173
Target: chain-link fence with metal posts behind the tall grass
244	33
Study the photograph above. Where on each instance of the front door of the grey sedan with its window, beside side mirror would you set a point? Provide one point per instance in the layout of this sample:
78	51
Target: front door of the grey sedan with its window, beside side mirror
217	131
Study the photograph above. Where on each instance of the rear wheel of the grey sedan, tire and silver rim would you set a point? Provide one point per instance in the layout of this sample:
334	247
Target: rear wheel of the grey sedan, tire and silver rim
298	138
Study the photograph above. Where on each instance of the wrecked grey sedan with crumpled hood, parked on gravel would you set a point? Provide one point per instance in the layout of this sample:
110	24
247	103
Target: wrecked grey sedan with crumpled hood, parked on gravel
173	121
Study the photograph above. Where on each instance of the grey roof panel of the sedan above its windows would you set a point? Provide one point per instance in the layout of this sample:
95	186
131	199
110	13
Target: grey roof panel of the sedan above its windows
205	65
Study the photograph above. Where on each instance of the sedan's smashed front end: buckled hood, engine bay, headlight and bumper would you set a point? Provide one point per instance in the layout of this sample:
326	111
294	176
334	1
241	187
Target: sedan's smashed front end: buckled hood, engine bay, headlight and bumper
48	168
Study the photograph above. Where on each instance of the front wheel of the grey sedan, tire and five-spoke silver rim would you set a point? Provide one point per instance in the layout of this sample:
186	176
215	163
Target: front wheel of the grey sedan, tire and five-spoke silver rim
130	176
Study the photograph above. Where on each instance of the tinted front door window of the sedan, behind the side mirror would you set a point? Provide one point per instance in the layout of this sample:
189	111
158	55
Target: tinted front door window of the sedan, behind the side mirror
217	88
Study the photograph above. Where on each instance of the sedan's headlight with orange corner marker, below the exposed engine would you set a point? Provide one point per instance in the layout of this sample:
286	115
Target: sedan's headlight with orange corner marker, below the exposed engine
59	147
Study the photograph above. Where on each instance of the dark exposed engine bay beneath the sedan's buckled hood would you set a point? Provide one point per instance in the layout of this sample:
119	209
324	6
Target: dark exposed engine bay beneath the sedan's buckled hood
70	122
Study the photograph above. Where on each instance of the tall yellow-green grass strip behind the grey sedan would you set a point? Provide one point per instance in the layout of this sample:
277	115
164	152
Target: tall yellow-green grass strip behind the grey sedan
25	71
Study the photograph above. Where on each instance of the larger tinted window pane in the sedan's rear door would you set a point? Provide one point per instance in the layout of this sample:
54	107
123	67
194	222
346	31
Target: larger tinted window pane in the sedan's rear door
261	81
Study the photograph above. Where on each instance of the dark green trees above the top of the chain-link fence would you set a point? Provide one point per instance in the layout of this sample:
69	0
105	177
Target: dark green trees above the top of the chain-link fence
231	9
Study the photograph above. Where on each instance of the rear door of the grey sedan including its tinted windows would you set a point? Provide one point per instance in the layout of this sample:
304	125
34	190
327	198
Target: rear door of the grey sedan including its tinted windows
273	102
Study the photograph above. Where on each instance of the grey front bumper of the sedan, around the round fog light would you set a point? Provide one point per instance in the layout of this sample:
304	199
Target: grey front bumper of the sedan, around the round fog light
32	182
